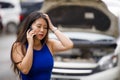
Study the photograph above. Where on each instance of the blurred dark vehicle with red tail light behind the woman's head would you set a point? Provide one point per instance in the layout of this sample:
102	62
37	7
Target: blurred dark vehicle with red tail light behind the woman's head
28	7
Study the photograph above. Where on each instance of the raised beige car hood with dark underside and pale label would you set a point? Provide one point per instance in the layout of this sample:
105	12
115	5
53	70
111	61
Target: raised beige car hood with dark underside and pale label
82	15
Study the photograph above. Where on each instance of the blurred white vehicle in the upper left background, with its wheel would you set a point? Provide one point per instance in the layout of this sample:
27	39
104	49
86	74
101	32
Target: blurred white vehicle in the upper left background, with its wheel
10	12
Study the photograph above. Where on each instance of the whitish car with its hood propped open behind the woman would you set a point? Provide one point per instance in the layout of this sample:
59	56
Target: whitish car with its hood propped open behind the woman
94	32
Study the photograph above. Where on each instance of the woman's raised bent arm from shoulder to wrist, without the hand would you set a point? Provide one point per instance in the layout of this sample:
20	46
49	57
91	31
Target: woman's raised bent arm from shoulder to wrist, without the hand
64	42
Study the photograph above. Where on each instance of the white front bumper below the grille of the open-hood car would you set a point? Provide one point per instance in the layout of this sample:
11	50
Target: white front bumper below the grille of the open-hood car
111	74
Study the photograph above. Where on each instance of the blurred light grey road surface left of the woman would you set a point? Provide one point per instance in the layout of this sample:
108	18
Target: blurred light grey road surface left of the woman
6	72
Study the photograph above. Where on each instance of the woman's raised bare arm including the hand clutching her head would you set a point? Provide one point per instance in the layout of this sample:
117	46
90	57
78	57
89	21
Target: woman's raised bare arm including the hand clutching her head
63	42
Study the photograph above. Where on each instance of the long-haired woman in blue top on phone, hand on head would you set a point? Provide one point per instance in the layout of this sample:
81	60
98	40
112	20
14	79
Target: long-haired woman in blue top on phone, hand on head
32	52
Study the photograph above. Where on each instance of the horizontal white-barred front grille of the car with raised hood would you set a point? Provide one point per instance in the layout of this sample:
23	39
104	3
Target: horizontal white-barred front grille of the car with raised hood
73	69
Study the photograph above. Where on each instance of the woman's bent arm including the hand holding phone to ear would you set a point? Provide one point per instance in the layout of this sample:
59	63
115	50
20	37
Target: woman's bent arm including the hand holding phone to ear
23	63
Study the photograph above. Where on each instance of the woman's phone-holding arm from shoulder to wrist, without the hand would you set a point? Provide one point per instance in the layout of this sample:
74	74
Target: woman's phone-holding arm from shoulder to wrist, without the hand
22	62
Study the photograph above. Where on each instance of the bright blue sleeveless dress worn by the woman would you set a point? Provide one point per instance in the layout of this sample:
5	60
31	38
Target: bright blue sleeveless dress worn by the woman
42	65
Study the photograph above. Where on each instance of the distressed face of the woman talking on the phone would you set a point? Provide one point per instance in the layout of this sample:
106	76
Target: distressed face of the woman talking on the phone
40	28
